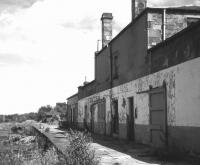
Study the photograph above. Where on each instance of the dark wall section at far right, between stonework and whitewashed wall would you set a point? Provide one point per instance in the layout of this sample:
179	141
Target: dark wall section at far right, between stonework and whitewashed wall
176	50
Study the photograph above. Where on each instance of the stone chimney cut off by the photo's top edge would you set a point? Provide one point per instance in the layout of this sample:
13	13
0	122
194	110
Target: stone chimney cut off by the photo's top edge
137	6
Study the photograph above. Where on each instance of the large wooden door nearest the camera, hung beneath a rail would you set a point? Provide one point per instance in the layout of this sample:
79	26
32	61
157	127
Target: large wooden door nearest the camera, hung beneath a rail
158	117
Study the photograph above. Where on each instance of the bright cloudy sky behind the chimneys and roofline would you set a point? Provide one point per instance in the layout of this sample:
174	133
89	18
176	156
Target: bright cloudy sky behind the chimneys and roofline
47	47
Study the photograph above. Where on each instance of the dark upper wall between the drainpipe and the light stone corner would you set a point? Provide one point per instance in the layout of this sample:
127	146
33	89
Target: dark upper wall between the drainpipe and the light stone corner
131	49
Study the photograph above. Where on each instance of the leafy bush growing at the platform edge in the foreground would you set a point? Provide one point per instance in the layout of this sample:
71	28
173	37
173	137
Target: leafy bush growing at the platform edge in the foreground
79	152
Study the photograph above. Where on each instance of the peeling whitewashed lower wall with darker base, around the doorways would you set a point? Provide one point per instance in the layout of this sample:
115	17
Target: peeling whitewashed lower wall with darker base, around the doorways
183	102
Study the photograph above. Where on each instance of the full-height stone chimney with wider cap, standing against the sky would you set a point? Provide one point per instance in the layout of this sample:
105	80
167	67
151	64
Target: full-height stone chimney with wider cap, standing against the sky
106	28
